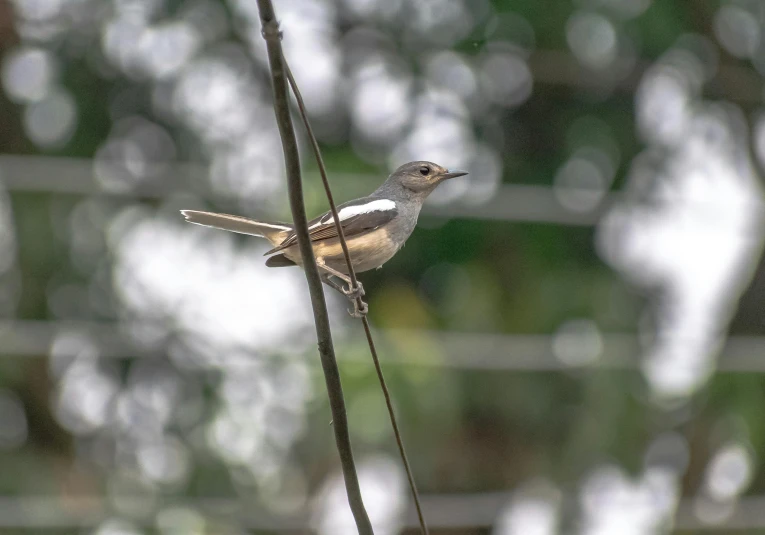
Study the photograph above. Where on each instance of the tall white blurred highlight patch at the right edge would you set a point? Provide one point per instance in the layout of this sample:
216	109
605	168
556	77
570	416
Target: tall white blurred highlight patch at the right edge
691	224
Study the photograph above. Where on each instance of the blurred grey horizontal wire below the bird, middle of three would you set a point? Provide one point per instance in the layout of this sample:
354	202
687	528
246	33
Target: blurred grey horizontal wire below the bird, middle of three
458	350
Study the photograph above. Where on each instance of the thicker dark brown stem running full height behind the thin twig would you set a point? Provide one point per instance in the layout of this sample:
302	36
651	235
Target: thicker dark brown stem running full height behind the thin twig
272	35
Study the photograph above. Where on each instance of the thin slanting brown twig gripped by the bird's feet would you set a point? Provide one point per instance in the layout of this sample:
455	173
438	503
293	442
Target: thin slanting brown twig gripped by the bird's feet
352	274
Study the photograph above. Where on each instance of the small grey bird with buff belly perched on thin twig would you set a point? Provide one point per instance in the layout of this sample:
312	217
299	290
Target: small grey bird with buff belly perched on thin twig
375	228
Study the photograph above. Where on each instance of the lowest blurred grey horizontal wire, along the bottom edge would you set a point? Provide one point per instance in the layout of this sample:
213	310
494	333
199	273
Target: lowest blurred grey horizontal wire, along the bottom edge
445	511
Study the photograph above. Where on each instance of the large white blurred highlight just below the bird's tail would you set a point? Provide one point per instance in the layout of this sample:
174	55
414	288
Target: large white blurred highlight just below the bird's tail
197	281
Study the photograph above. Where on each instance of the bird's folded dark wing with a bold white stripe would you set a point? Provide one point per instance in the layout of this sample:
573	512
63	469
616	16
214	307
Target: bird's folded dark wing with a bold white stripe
355	217
